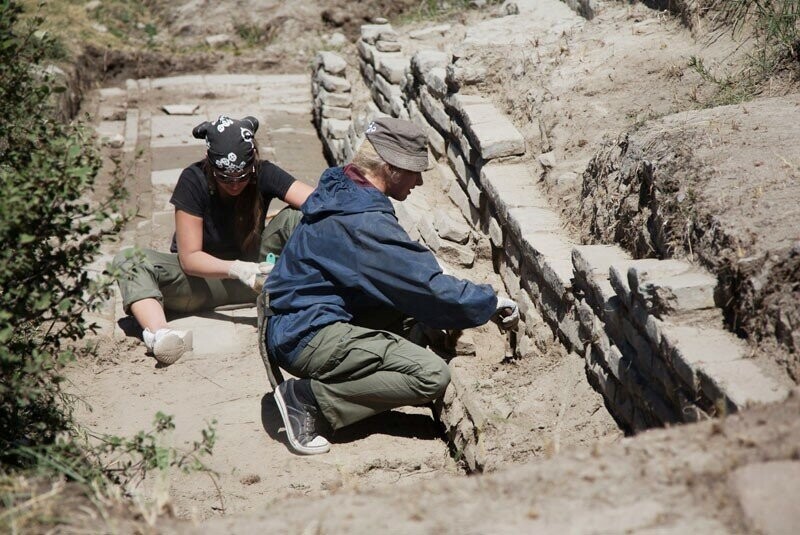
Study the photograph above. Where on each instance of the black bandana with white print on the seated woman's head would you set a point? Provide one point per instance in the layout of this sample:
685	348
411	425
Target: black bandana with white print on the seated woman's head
230	142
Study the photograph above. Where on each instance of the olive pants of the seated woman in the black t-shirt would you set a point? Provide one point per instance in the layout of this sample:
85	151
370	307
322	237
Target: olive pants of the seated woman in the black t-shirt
159	275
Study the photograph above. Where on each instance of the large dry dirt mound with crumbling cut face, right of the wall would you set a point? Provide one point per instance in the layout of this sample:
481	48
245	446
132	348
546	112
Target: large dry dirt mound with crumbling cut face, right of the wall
720	186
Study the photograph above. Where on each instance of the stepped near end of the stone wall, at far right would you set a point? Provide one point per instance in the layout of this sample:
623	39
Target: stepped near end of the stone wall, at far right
653	345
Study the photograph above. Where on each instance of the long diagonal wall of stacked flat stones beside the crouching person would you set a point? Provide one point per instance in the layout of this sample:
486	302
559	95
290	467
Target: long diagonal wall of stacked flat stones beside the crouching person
647	329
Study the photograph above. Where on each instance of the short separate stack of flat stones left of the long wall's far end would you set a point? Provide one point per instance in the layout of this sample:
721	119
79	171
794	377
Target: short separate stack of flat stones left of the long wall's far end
332	105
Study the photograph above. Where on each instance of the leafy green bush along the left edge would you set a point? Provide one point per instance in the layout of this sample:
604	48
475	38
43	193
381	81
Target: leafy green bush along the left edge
50	230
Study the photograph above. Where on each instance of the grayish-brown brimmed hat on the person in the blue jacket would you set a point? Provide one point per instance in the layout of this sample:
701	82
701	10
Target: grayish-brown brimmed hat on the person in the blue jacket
400	143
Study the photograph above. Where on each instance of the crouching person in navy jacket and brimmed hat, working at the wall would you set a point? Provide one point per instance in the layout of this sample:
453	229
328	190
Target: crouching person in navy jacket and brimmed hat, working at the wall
347	288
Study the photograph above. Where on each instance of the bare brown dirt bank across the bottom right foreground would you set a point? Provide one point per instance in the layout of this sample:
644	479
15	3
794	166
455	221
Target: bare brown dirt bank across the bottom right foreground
667	481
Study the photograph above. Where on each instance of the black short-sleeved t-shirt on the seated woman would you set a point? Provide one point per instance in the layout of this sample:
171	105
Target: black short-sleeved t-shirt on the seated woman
191	195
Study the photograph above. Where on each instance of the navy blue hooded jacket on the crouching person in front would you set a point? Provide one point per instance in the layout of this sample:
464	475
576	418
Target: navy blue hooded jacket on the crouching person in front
348	255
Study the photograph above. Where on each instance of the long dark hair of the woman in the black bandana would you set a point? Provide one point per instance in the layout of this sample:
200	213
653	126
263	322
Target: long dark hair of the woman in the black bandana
248	208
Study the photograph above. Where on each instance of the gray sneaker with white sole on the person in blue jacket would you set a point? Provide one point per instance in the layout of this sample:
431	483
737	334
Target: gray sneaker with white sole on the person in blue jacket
300	421
